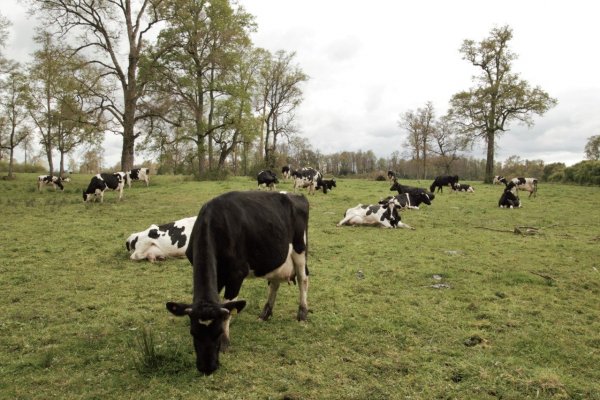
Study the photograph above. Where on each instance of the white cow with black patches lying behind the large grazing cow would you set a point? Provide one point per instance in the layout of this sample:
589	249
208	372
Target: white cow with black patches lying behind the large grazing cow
161	241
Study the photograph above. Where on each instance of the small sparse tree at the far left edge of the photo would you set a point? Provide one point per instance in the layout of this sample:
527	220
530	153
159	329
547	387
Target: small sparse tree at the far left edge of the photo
14	98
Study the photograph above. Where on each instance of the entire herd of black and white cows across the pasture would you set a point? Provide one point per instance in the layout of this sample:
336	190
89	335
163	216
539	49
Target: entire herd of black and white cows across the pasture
244	234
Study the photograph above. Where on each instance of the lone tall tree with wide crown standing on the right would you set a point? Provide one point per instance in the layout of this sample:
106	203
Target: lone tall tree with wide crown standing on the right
499	96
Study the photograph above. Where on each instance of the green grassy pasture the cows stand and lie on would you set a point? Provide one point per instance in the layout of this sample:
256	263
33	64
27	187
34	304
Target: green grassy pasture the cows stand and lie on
460	308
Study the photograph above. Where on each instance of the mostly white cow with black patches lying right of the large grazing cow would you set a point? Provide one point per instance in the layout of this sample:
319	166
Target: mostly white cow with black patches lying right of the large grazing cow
384	214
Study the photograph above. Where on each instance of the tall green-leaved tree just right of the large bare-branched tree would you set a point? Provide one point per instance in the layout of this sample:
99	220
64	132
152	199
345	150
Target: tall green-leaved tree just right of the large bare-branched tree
195	56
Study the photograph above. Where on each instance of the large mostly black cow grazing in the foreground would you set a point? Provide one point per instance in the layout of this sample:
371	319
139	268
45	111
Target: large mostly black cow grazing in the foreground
239	235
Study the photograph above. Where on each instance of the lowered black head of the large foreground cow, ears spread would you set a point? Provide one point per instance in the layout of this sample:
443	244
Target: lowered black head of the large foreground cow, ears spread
209	327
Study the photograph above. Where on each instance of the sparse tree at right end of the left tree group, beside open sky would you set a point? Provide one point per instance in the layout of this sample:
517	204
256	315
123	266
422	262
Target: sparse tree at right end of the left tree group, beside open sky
280	95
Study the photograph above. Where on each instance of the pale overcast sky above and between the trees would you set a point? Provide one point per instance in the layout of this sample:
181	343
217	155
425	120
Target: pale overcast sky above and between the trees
369	63
